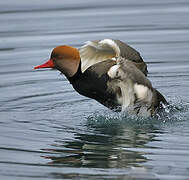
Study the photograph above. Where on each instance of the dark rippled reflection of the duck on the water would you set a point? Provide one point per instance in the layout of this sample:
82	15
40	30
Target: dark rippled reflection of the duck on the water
104	146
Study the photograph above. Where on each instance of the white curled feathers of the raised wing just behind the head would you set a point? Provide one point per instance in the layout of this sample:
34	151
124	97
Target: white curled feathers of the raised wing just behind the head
97	51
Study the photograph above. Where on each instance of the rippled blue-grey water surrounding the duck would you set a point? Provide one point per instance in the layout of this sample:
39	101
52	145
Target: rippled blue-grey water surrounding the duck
48	131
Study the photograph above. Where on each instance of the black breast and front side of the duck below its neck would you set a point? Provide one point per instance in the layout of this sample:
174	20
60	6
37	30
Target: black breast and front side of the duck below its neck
93	83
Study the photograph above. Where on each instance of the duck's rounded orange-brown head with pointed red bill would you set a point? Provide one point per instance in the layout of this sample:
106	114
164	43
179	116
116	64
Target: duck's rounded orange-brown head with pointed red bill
64	58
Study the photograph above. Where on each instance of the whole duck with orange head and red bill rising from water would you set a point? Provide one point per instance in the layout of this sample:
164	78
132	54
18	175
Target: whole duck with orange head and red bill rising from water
110	72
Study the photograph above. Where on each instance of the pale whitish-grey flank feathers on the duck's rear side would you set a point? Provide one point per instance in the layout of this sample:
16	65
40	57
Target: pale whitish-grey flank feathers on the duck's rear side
134	98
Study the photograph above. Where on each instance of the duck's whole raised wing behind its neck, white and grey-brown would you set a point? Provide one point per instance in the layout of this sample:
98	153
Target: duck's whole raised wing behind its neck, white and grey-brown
97	51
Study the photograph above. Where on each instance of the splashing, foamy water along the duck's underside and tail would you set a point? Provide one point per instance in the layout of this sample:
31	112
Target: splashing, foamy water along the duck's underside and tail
176	111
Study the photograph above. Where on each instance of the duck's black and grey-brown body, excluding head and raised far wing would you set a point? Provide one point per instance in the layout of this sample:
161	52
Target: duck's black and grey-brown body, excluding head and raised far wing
118	93
